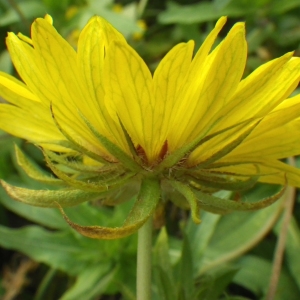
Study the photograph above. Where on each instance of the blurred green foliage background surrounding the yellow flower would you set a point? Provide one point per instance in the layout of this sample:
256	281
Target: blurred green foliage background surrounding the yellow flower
226	257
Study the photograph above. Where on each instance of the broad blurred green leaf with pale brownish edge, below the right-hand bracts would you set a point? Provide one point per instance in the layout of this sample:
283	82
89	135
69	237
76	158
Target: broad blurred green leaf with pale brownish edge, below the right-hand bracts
233	234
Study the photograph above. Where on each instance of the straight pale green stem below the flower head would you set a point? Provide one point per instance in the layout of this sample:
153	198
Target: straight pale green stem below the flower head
143	282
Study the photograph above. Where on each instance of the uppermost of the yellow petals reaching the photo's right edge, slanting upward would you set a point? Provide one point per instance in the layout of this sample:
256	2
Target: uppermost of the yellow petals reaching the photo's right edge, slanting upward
263	90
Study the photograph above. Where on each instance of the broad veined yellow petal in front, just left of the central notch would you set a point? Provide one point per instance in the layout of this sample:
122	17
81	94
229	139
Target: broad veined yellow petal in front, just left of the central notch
129	95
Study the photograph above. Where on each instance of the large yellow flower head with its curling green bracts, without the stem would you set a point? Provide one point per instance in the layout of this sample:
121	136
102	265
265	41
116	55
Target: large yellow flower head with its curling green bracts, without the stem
192	128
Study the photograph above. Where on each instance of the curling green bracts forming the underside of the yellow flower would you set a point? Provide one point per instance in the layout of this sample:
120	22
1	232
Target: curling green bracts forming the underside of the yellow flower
112	183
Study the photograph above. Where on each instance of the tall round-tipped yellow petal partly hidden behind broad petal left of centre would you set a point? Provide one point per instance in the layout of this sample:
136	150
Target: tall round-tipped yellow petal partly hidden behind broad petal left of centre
90	60
